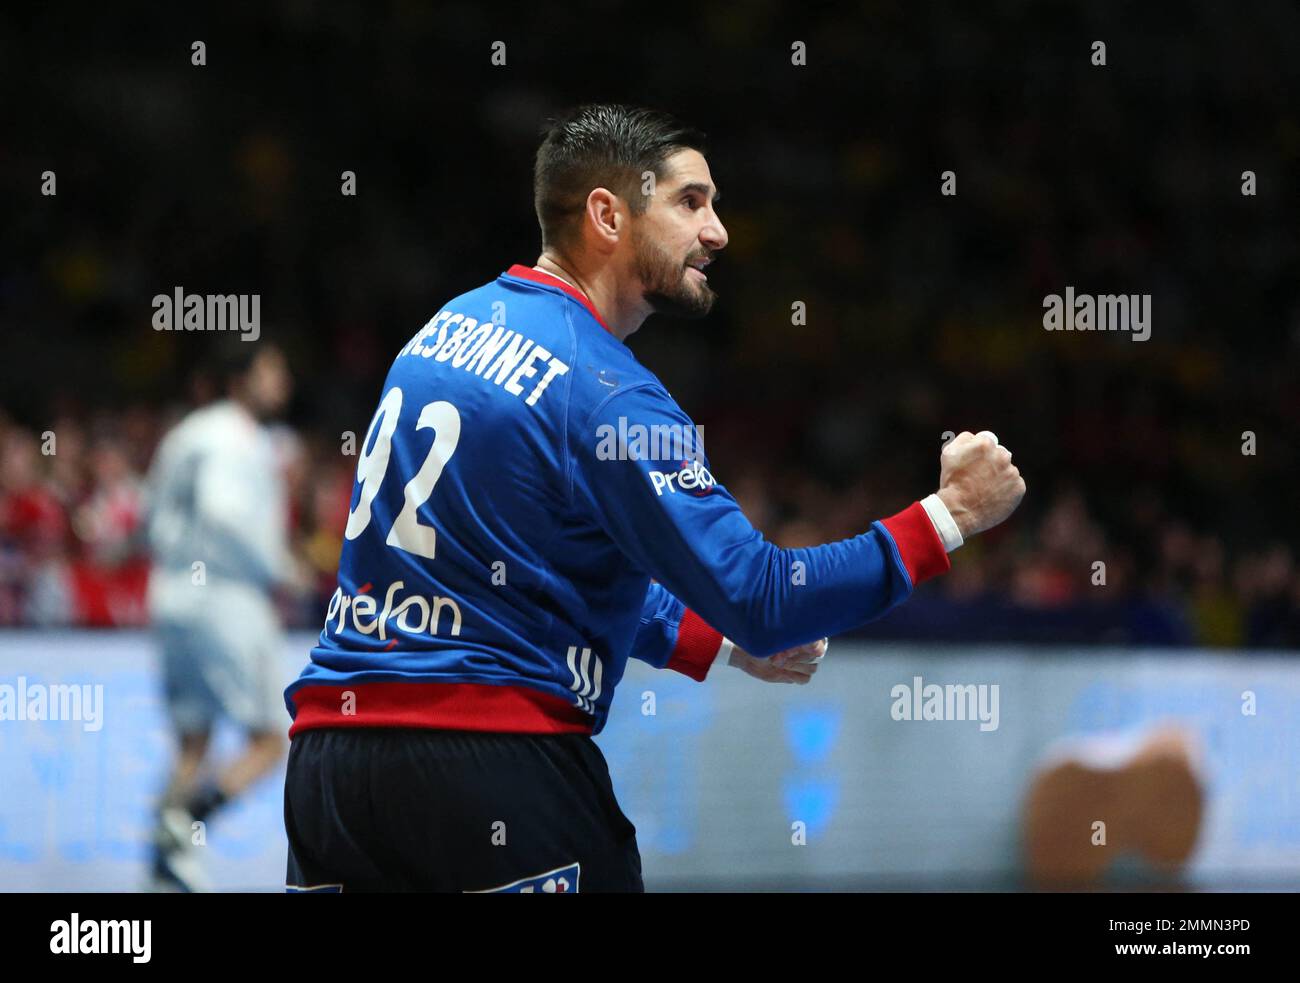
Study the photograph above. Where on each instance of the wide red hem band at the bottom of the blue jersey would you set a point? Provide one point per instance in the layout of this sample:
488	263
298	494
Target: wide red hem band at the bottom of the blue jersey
454	707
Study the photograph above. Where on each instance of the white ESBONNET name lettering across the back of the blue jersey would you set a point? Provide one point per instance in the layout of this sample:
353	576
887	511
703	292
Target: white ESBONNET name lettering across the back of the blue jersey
489	350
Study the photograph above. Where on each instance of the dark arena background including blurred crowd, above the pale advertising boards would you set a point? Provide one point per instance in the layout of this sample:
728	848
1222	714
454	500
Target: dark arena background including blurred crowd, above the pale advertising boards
924	311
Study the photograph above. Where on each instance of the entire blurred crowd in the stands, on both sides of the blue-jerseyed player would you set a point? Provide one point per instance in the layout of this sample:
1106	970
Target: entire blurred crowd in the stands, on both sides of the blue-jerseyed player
73	503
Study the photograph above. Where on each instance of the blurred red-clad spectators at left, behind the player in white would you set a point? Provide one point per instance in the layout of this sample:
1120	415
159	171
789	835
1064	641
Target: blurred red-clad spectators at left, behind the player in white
73	504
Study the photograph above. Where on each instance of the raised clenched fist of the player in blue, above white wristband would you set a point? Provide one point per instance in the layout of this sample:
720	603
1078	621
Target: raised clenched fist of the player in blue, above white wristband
978	482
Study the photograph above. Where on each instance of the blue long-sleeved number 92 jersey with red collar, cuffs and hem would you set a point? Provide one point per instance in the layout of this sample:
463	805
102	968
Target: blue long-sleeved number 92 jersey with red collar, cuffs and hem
532	509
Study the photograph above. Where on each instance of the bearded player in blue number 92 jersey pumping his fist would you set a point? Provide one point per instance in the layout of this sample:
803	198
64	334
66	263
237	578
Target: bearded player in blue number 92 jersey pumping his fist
532	509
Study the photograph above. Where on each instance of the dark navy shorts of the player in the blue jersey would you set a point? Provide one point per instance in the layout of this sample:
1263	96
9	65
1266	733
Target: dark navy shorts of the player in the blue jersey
397	809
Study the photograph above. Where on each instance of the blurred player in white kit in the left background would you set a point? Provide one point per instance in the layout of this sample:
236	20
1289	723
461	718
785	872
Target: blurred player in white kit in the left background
218	529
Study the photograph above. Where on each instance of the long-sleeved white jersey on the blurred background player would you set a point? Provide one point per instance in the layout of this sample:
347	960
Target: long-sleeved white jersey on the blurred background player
218	499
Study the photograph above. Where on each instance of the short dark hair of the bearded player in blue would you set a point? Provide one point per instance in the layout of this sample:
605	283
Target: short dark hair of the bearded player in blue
601	145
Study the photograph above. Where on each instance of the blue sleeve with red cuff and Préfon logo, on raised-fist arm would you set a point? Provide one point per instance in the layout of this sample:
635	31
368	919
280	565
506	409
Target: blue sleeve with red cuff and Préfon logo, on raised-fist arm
686	531
